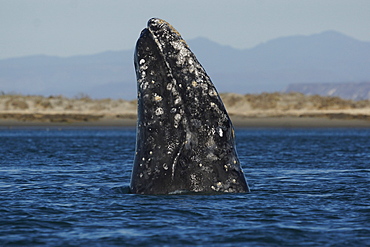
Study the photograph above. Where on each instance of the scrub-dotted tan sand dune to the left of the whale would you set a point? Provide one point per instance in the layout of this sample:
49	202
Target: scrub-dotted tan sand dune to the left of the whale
62	109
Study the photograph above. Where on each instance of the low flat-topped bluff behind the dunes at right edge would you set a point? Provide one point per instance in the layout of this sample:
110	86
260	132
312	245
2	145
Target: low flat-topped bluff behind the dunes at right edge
354	91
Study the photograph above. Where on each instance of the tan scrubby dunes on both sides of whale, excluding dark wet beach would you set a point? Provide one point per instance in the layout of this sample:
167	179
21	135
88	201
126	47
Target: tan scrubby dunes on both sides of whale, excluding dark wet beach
59	109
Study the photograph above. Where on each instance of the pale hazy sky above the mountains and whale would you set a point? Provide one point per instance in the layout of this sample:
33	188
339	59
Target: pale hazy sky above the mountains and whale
66	28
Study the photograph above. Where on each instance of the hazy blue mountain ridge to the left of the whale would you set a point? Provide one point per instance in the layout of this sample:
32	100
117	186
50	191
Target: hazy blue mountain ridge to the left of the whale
108	74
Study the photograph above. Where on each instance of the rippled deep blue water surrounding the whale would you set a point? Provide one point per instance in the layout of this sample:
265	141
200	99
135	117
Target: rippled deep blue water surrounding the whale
69	187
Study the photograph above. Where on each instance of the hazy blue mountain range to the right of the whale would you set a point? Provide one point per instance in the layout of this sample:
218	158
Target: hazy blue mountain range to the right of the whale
272	66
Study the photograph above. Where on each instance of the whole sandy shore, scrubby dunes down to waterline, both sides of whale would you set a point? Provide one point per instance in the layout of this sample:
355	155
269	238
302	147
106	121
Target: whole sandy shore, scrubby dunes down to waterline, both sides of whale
251	110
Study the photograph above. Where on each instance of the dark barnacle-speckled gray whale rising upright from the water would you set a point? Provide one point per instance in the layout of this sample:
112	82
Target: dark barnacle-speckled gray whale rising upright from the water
185	139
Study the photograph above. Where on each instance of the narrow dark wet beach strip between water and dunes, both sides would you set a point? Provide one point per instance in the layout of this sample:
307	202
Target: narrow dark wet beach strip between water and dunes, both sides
238	122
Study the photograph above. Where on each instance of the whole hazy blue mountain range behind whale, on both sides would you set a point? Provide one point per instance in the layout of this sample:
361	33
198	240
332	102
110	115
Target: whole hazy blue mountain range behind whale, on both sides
271	66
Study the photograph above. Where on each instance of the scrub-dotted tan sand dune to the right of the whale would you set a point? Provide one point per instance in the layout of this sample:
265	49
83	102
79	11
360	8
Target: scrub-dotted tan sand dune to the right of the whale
293	104
